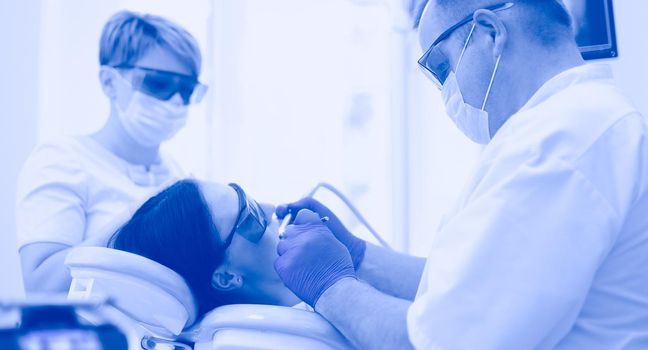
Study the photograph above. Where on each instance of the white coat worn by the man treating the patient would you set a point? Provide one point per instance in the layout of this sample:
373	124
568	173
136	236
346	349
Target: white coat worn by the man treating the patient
548	245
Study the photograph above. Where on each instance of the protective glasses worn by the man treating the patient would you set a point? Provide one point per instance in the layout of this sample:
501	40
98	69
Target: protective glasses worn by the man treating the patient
434	63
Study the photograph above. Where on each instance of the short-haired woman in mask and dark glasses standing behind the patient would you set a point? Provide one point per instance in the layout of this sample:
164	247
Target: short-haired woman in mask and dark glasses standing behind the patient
72	190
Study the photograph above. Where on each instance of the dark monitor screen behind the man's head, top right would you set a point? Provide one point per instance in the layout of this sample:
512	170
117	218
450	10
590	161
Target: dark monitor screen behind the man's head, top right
594	26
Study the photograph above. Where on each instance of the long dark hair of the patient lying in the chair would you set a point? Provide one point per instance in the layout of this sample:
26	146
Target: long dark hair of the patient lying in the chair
175	228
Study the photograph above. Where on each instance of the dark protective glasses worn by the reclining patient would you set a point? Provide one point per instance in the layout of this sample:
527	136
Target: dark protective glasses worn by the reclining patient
251	221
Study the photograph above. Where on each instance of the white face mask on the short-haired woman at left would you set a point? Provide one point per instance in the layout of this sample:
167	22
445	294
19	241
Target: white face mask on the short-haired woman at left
148	120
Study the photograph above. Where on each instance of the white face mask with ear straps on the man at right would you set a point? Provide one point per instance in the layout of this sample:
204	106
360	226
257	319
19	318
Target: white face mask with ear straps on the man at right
471	121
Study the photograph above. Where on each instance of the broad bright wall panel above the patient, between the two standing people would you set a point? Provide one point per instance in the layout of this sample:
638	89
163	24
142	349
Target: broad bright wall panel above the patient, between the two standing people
304	95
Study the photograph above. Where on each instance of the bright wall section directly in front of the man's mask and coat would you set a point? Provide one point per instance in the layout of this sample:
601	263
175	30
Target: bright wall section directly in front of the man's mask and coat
441	159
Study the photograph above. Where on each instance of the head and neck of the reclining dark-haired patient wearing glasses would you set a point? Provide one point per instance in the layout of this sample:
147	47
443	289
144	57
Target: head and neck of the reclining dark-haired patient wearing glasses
216	237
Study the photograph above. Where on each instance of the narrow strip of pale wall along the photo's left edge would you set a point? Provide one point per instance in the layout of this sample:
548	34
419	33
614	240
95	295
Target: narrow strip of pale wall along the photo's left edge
19	33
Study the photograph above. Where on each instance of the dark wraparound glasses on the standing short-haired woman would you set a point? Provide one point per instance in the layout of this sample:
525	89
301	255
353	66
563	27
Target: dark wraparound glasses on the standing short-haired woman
163	85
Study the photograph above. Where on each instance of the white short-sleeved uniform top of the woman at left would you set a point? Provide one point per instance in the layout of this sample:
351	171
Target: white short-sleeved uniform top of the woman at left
72	188
